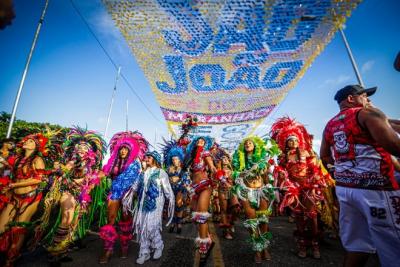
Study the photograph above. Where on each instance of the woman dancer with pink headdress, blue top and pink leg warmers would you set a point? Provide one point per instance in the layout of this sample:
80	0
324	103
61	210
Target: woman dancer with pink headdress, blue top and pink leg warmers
123	168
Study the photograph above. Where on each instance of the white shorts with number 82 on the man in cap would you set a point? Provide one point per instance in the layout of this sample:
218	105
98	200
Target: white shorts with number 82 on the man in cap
369	221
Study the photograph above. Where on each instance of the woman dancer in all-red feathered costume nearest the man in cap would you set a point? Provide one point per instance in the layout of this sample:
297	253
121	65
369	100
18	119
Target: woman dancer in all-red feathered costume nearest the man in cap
302	180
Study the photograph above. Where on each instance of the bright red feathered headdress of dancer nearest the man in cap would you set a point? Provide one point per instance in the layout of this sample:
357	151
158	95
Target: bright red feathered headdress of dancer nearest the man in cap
286	128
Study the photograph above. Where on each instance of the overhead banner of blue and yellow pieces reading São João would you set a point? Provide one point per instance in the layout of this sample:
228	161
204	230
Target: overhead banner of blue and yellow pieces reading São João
230	63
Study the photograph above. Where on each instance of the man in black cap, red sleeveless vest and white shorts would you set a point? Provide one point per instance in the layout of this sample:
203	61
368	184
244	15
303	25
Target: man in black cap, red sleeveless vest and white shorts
359	142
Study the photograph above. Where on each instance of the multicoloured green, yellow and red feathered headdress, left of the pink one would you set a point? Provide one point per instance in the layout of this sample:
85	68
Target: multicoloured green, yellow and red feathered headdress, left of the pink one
78	135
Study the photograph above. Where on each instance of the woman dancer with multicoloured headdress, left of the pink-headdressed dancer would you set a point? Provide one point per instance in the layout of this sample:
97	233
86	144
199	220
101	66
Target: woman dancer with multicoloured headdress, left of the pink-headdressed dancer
83	153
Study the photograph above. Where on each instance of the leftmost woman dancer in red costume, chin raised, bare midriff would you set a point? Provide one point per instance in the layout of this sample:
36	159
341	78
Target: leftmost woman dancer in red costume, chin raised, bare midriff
25	194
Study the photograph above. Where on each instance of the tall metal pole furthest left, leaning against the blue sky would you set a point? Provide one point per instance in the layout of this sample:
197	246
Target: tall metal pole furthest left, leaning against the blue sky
28	60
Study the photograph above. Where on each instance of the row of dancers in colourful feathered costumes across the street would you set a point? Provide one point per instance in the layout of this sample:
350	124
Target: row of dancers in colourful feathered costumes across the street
54	188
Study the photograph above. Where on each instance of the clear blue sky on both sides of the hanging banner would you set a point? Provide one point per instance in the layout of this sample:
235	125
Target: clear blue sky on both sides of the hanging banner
70	80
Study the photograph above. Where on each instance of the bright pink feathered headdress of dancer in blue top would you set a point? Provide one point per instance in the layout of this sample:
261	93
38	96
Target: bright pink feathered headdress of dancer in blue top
133	141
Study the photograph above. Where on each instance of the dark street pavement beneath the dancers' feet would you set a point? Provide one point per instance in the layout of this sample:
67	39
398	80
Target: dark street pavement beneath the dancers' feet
179	250
